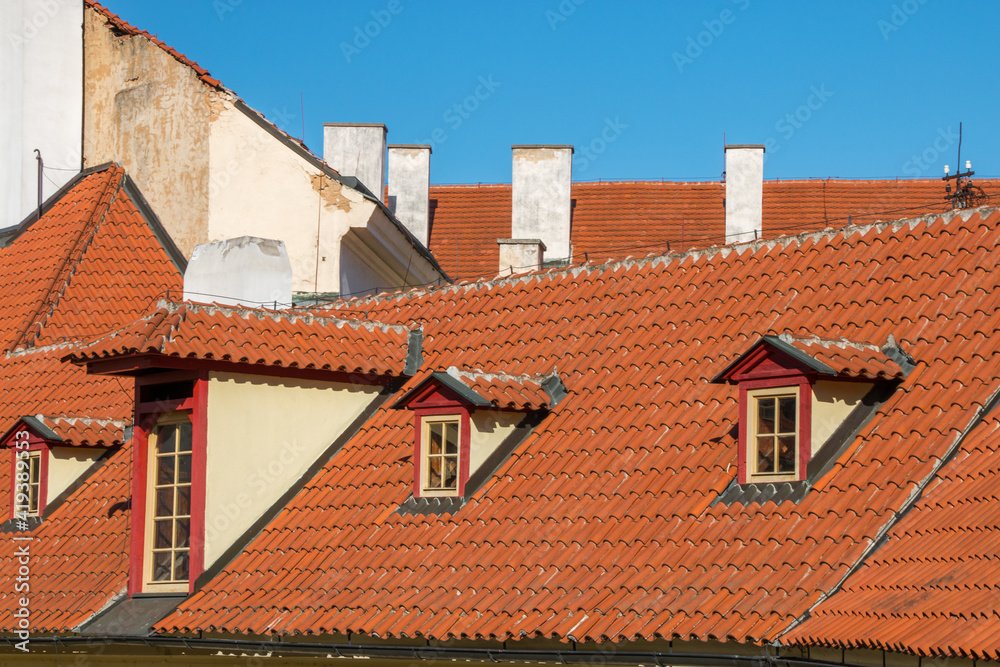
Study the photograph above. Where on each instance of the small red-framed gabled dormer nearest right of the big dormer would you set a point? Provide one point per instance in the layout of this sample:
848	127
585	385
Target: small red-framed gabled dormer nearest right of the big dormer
465	424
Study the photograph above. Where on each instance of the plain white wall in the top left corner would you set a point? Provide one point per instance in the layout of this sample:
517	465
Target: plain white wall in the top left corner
41	100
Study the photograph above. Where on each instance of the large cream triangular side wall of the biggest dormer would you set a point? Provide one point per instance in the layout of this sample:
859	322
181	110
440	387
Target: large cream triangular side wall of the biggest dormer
263	434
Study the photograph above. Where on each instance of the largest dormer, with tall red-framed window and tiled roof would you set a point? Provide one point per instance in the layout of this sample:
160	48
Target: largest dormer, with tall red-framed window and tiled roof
234	410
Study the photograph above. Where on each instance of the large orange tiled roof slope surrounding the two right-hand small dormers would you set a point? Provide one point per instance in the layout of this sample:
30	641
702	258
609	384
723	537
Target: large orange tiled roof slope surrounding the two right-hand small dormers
601	525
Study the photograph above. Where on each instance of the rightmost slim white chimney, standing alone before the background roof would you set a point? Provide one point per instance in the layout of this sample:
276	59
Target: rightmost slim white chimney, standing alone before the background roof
744	192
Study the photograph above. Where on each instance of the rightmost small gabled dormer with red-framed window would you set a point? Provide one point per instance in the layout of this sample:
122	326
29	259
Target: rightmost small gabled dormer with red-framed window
796	395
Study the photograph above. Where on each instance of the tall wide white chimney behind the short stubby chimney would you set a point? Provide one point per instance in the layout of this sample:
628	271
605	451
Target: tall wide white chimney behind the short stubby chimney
541	196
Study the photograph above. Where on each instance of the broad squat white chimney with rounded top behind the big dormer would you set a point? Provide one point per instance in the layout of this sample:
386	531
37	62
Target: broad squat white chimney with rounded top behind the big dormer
245	271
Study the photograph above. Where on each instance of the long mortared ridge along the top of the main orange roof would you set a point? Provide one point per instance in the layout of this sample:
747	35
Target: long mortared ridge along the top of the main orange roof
671	256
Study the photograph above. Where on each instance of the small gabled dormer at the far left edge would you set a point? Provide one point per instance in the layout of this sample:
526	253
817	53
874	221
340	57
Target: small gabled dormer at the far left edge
49	456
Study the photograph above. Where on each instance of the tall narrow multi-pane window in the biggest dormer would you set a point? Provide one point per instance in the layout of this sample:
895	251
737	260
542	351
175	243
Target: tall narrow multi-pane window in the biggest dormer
169	504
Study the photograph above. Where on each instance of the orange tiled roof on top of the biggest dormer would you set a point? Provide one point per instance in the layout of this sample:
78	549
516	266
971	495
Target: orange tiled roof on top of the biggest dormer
260	337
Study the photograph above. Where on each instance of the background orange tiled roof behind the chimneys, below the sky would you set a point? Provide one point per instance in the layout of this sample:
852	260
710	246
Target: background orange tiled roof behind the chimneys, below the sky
618	219
